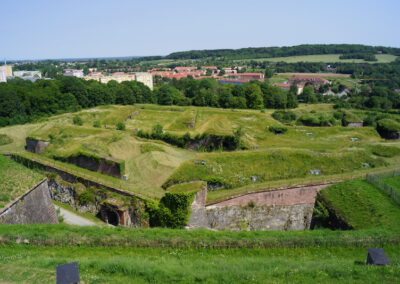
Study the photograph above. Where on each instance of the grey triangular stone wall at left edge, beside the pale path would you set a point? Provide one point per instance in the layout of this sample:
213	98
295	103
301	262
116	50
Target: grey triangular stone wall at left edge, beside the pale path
34	207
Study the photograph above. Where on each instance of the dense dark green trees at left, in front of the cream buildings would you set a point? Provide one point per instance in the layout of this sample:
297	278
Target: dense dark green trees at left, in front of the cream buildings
22	101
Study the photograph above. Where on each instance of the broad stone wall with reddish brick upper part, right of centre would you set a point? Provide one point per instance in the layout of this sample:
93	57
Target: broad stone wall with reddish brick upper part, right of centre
285	209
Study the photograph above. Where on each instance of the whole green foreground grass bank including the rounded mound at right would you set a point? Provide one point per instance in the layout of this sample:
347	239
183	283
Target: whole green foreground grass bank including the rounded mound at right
181	256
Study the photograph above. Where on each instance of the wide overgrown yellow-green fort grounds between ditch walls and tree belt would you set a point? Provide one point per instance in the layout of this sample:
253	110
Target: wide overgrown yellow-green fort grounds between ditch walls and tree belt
150	163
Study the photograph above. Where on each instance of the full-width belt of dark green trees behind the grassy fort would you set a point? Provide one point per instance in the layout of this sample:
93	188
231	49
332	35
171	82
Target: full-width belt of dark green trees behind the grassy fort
23	101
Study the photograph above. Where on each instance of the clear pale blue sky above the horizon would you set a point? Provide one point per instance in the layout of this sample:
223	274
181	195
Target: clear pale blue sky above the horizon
38	29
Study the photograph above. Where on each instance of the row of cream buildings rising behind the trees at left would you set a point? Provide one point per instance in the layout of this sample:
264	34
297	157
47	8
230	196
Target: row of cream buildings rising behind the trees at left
143	77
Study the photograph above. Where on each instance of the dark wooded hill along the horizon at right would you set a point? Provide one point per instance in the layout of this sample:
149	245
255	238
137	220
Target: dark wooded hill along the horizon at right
272	52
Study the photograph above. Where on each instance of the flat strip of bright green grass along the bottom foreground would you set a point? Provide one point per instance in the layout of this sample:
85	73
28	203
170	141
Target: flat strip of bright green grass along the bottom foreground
167	265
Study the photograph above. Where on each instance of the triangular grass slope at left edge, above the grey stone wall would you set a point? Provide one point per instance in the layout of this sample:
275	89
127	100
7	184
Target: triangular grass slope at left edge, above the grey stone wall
15	180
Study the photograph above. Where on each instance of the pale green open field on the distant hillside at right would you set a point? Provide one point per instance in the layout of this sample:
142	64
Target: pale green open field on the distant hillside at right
328	58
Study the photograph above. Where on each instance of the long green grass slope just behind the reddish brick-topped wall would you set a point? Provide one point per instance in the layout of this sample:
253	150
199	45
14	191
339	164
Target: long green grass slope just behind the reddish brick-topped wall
237	168
